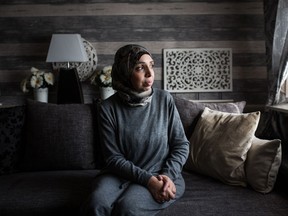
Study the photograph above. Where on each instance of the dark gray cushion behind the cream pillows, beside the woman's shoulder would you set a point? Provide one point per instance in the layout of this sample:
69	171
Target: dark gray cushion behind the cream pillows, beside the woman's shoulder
190	111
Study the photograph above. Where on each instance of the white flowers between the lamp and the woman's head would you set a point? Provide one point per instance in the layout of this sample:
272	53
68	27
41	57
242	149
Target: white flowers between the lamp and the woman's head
103	78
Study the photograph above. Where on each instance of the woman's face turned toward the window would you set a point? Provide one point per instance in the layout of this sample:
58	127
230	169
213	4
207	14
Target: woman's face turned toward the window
143	74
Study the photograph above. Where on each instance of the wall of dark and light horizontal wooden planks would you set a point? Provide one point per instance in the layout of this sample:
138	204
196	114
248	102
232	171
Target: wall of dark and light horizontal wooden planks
27	25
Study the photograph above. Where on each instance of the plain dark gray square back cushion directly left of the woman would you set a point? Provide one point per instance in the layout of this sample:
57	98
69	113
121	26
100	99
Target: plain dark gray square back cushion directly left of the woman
59	137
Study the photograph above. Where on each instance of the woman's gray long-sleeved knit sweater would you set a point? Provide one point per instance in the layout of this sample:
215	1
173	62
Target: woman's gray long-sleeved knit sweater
142	141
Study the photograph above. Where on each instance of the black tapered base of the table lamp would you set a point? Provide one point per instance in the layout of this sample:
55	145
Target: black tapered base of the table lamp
69	87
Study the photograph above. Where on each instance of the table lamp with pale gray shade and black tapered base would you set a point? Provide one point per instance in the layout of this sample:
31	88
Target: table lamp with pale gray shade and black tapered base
67	48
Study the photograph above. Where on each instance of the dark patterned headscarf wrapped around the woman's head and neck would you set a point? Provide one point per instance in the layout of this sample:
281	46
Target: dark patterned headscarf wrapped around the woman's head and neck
124	62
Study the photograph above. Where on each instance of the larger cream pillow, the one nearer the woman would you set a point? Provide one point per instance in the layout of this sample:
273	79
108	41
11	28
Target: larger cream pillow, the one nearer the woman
219	145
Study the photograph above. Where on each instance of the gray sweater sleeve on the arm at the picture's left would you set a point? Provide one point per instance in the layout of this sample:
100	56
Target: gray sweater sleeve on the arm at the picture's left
115	160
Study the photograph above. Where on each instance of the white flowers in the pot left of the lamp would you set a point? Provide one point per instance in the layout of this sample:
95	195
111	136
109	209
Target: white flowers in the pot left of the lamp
37	79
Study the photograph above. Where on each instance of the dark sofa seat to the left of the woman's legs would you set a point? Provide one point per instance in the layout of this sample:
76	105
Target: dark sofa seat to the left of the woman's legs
45	193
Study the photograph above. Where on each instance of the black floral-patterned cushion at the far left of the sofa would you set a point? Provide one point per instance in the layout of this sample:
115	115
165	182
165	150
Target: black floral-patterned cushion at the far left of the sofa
11	128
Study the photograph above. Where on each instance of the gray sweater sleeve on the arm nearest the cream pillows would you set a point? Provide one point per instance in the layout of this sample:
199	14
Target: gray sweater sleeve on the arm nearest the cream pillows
178	144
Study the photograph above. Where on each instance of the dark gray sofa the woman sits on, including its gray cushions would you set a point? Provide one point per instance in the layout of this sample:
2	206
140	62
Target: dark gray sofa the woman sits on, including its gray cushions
49	157
